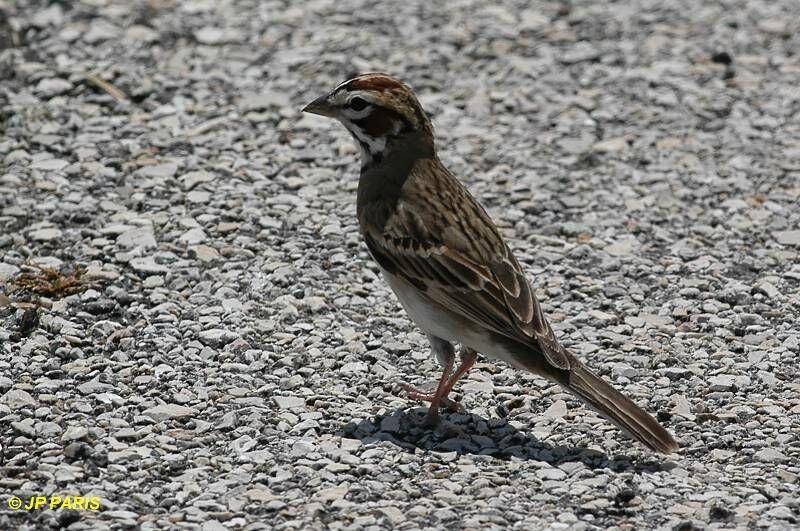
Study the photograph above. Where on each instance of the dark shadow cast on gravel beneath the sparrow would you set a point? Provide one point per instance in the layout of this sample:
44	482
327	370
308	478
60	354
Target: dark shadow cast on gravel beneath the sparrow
467	433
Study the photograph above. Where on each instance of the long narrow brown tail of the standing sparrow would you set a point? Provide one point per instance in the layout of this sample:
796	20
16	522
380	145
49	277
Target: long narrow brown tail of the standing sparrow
619	409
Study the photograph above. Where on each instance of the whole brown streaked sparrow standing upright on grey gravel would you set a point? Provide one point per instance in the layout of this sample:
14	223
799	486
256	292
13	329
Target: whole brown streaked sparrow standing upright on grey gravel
446	261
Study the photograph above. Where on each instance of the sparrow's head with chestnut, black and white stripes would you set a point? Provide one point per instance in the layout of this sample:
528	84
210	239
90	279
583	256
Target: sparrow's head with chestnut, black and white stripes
380	112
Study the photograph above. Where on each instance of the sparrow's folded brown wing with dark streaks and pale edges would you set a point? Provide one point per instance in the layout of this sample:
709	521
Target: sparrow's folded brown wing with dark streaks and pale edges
460	261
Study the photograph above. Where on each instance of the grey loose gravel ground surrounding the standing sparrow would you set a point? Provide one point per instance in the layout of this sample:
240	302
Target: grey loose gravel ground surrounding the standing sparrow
234	361
